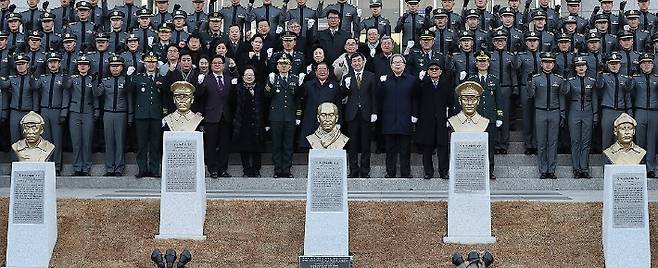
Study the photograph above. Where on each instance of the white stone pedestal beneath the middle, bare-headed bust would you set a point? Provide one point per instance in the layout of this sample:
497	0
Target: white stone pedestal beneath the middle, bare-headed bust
326	228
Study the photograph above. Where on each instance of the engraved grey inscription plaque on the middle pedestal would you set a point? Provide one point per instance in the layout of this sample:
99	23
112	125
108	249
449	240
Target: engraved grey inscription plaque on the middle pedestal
326	184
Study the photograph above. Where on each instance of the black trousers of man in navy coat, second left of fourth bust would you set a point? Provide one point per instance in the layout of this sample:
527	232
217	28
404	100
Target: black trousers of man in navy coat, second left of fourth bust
398	145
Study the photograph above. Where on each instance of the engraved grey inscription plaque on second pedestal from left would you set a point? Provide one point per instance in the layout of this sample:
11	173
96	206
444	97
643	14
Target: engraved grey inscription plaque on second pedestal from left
180	166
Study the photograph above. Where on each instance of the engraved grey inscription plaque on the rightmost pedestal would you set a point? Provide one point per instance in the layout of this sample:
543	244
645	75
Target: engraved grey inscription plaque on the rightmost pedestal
627	201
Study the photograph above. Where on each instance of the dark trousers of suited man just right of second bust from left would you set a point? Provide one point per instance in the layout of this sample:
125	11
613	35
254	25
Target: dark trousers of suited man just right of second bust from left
218	143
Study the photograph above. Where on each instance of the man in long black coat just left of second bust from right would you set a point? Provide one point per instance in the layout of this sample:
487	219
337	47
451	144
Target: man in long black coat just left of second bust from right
436	99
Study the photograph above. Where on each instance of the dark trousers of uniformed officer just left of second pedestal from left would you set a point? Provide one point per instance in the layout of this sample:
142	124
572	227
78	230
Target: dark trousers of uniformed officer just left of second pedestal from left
149	143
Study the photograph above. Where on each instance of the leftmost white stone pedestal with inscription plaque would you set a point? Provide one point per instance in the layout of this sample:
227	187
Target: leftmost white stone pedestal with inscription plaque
32	230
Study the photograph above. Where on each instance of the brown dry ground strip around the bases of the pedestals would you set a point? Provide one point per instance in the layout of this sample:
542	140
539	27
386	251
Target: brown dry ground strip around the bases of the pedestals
120	233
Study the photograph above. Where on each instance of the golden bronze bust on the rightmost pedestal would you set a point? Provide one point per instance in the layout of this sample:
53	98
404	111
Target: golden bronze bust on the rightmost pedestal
625	151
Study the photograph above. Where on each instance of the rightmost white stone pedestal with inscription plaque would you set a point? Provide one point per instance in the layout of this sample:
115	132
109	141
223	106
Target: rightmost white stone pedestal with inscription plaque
626	217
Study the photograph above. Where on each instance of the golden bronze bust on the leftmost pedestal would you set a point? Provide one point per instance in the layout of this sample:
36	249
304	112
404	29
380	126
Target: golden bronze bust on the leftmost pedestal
32	148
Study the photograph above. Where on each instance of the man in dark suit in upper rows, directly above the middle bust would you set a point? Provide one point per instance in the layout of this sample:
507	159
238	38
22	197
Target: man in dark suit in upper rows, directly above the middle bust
332	39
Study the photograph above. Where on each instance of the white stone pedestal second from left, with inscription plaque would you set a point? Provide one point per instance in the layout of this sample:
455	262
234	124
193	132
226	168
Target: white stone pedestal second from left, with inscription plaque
183	191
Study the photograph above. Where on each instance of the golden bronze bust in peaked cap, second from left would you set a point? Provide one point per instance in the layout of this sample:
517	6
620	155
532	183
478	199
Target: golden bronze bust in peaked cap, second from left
183	119
